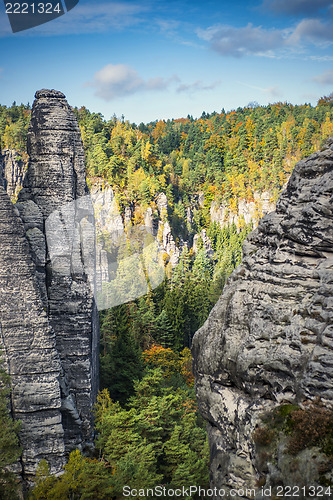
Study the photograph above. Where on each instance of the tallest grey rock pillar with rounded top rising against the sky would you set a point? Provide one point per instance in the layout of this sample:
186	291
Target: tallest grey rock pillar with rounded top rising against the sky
54	183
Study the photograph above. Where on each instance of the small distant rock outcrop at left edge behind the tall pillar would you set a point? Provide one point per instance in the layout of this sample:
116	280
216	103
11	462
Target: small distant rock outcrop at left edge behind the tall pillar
13	169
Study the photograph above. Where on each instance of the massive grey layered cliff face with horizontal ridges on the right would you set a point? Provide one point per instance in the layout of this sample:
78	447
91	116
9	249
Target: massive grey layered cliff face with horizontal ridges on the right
268	340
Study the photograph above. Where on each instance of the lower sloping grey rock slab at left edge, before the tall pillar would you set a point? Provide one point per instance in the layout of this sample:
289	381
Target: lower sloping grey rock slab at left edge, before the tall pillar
29	348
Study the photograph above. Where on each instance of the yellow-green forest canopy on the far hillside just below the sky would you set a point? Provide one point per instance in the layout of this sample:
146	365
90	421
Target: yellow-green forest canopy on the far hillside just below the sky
226	155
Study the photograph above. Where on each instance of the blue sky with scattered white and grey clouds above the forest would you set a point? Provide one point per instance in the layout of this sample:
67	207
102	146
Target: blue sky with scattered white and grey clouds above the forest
164	59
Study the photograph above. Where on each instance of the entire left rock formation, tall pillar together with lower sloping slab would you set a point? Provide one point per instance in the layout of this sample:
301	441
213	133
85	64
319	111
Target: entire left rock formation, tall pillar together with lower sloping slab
49	216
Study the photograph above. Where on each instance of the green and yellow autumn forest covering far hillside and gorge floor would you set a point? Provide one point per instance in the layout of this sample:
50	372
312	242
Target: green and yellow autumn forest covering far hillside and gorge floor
148	429
